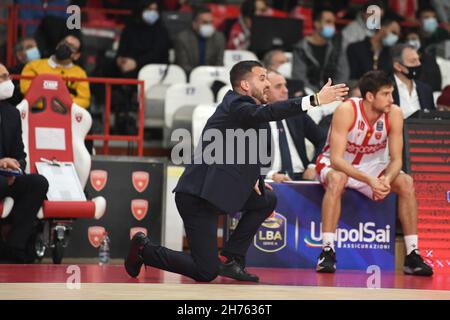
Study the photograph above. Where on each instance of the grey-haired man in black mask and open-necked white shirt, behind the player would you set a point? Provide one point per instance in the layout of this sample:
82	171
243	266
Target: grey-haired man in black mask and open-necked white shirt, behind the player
409	93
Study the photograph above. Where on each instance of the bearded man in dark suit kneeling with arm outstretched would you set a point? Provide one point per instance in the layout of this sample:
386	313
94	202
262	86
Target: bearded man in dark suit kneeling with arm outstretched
206	190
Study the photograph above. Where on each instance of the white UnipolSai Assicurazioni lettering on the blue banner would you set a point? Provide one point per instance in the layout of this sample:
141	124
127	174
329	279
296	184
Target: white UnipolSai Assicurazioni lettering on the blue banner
366	236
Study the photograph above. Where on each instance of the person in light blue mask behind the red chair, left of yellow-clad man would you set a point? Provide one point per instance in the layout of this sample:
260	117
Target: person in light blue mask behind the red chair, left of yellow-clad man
25	51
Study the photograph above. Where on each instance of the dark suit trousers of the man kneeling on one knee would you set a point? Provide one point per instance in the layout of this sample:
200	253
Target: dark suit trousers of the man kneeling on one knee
201	221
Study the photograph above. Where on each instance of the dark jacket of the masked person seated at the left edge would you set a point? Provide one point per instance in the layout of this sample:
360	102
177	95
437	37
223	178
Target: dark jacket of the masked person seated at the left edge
11	134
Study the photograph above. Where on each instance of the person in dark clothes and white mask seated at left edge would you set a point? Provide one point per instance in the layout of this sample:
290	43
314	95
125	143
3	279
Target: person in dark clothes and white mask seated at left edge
28	190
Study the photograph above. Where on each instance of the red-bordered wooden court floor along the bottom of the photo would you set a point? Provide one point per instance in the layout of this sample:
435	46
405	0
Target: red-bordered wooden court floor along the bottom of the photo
47	281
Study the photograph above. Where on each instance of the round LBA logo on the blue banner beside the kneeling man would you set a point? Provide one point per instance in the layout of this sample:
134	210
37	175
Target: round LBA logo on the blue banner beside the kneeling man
271	236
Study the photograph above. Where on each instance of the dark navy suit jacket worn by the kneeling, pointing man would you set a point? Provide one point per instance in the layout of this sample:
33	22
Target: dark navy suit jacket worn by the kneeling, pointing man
228	186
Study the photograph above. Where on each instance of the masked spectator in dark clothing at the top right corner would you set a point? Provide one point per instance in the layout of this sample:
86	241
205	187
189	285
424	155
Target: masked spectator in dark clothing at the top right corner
430	32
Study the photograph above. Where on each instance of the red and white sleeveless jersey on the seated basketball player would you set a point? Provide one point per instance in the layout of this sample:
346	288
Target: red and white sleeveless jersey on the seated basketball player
365	143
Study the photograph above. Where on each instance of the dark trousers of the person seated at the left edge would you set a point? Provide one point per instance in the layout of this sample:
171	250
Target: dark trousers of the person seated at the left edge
28	192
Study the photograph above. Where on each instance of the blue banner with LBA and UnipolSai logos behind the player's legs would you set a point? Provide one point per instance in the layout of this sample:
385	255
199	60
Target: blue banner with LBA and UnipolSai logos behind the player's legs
291	237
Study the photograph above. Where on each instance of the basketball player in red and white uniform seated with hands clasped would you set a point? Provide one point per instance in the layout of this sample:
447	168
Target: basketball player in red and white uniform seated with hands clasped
355	156
